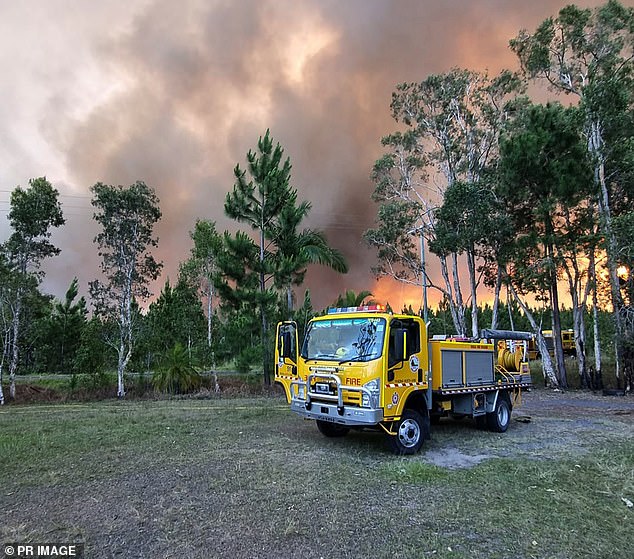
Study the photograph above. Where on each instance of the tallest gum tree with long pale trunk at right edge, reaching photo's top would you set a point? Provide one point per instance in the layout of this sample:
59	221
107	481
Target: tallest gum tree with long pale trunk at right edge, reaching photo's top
588	54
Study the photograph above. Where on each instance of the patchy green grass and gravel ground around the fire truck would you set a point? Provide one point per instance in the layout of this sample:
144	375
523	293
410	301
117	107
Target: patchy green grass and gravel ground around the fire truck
245	478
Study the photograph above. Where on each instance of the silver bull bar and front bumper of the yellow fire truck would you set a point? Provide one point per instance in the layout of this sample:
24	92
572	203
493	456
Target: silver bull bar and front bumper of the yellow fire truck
324	401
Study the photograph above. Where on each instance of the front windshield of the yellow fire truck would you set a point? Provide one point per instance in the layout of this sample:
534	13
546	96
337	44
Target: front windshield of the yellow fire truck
344	339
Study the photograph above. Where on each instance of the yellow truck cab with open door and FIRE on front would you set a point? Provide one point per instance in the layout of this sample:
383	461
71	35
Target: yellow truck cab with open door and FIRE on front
356	368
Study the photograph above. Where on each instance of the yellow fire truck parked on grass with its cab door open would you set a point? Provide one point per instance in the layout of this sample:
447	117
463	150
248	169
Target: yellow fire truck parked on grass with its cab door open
363	367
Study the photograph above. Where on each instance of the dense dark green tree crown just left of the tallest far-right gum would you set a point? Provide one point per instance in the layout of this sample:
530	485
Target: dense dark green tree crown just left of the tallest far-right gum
544	178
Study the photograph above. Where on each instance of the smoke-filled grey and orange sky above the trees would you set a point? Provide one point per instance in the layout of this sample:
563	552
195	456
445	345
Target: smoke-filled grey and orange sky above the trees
176	93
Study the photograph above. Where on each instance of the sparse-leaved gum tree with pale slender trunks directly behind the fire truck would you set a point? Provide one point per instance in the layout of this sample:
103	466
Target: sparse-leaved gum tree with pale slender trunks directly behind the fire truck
453	122
